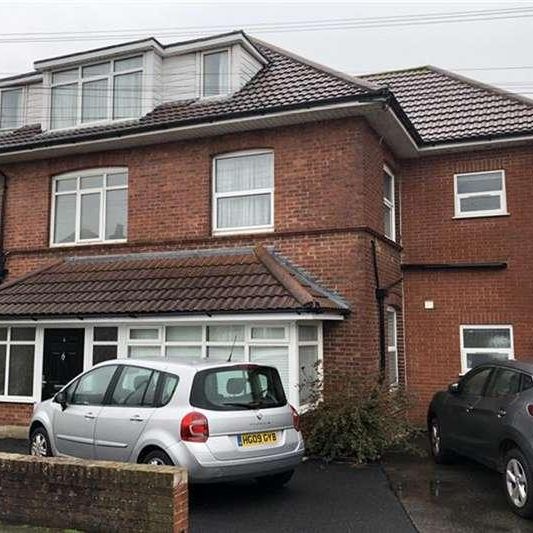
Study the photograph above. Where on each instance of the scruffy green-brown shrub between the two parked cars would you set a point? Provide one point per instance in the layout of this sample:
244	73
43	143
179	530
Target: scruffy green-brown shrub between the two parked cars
359	422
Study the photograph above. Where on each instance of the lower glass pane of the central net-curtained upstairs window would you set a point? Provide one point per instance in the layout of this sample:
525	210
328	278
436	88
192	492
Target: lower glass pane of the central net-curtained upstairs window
244	211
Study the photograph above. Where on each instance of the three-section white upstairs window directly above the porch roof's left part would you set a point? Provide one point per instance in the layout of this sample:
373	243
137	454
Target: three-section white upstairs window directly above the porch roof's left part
90	207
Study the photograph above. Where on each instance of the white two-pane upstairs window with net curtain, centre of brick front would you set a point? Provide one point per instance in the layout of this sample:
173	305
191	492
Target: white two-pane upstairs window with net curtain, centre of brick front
243	190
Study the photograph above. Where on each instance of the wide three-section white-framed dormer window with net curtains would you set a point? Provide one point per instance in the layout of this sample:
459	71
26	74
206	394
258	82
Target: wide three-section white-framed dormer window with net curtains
97	92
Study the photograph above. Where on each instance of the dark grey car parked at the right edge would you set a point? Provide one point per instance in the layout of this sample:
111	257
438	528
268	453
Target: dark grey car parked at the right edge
488	416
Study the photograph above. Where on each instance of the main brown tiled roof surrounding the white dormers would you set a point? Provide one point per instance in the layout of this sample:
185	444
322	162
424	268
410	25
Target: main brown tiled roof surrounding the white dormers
286	82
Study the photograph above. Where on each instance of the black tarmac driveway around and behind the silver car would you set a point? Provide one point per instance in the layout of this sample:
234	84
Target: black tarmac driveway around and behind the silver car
320	498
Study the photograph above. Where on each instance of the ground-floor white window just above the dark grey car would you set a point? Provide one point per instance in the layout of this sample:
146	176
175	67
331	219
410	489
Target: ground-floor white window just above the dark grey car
483	344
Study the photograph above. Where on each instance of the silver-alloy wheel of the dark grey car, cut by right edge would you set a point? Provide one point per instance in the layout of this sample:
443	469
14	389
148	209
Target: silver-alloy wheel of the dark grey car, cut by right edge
518	483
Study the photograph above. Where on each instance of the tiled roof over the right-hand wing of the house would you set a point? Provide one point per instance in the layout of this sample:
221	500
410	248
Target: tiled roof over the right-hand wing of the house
443	106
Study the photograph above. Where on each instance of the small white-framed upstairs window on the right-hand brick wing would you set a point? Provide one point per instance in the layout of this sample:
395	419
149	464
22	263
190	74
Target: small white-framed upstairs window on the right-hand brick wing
480	194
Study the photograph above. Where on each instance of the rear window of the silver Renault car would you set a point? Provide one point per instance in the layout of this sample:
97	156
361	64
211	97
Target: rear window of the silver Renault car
237	388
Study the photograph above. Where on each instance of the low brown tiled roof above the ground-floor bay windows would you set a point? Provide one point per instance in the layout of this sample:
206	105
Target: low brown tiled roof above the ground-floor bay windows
209	281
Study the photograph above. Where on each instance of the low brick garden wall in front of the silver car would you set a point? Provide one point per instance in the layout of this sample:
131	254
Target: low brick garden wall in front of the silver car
92	496
